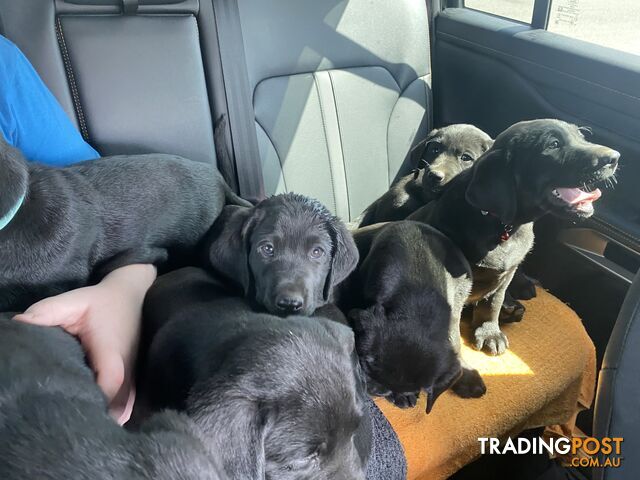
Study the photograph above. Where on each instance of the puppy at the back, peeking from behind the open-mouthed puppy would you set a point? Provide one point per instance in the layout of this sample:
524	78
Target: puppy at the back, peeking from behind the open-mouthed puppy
447	151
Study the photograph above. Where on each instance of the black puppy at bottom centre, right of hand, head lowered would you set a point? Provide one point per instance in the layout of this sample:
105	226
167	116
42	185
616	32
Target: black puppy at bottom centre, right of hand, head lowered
282	397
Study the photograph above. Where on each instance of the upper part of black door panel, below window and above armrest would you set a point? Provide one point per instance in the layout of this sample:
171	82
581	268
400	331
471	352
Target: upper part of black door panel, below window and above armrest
493	72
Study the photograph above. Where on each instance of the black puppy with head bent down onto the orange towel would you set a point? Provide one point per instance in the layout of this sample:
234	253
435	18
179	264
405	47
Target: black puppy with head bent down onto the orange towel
409	290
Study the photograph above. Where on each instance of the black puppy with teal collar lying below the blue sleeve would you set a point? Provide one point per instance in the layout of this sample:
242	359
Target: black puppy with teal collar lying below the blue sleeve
63	228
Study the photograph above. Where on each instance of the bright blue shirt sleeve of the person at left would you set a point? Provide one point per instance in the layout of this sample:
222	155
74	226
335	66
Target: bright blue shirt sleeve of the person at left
31	119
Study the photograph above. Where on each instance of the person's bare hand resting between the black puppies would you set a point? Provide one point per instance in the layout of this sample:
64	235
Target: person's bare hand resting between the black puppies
106	319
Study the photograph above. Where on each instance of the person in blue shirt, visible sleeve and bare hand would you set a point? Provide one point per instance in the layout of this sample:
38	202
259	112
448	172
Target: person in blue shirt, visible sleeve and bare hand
105	317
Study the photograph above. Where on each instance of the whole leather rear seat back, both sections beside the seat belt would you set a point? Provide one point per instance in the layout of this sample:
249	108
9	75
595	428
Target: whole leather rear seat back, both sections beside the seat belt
341	88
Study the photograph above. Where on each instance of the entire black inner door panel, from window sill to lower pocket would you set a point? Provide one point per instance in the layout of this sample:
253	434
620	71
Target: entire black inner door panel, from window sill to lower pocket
493	72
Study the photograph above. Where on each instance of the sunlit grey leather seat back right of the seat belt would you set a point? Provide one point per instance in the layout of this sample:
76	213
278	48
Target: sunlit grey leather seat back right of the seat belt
341	92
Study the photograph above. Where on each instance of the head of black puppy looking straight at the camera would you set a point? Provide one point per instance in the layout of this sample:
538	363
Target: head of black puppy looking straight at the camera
287	253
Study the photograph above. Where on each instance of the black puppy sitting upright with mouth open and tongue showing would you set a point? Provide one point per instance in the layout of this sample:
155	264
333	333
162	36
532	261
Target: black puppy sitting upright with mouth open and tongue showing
533	167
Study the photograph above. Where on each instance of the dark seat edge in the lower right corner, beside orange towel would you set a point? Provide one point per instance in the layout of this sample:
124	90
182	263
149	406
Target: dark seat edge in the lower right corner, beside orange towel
617	413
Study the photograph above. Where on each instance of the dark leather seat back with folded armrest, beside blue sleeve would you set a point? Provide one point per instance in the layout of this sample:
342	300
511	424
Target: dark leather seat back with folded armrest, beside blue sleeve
129	73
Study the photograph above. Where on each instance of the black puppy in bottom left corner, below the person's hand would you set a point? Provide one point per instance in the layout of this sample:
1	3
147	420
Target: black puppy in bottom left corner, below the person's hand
54	421
